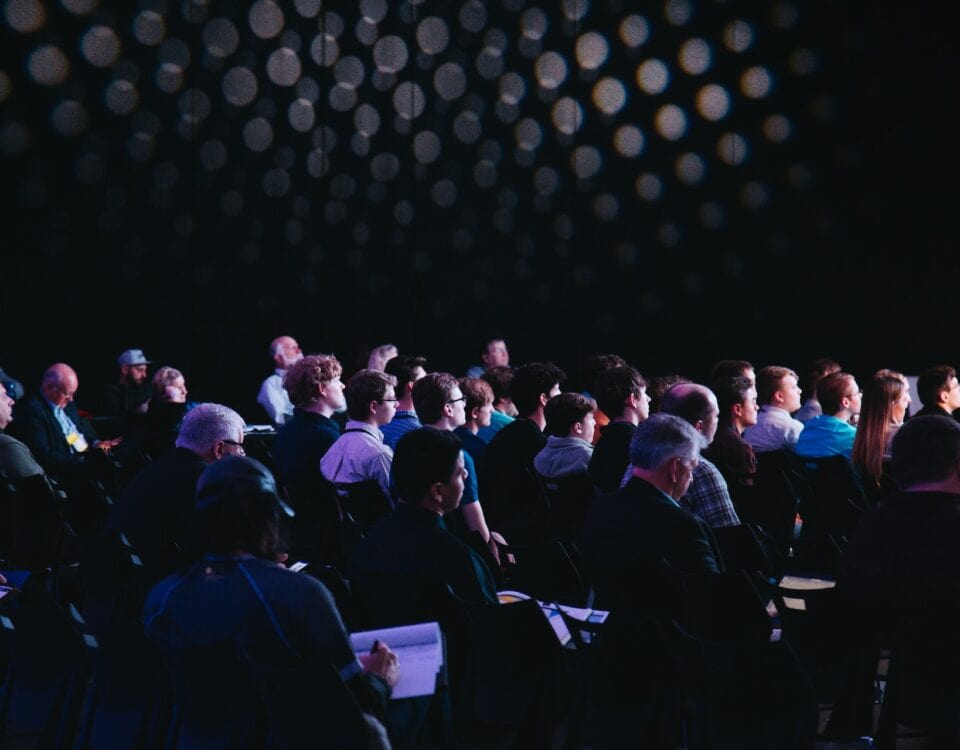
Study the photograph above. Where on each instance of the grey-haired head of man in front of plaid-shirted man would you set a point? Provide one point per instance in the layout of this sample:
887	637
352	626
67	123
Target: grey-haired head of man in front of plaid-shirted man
665	450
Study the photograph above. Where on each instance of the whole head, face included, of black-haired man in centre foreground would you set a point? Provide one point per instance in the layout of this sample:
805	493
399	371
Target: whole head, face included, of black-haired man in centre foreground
428	469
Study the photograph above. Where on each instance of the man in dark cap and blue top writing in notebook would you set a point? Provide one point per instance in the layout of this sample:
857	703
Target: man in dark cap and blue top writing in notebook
239	599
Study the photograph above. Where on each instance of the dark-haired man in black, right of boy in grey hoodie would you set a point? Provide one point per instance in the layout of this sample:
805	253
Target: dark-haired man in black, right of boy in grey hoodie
622	394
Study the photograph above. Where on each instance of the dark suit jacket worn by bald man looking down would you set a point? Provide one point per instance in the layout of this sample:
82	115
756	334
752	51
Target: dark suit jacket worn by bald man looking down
36	426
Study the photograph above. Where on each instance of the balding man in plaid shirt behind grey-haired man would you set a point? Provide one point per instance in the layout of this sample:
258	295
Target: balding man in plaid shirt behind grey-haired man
707	497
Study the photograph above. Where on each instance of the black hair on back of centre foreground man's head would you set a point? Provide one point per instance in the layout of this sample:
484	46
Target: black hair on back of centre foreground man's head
423	457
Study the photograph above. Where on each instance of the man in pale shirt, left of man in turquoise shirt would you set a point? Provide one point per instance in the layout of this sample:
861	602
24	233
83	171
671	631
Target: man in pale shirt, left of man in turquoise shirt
778	395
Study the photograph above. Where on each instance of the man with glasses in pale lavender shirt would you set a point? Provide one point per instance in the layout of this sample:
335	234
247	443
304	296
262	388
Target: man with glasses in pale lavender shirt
359	454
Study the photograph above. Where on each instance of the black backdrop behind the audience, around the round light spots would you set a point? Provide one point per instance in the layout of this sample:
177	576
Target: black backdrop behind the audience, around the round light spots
108	243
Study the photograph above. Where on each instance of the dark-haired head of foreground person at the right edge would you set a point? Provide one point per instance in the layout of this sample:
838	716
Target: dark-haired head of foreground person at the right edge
926	450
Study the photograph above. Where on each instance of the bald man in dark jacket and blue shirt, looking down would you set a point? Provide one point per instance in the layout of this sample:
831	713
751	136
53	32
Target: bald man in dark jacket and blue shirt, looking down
51	426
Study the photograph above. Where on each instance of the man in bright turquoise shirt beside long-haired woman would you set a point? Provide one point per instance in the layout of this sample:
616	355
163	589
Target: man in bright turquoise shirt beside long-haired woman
831	434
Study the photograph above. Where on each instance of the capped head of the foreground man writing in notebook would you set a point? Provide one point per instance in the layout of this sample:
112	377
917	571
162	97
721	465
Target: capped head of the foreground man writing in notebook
237	509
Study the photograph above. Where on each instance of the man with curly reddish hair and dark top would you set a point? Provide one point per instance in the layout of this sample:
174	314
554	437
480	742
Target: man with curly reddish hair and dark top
314	386
